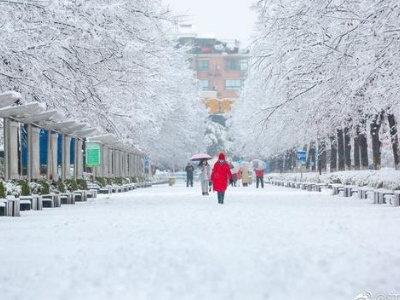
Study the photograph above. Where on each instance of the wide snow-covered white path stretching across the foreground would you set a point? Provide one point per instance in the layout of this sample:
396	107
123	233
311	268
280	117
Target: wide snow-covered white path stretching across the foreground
173	243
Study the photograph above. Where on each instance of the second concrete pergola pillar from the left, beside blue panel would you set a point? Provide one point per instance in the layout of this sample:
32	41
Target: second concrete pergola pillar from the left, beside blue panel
33	166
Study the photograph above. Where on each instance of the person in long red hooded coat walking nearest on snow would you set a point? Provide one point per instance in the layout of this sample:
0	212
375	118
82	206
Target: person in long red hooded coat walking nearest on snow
220	176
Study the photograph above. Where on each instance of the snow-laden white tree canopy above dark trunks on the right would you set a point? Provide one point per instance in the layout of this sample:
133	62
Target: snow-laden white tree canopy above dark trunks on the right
318	67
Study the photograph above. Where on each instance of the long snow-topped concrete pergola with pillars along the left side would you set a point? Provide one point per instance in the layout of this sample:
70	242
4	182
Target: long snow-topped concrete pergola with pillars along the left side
118	159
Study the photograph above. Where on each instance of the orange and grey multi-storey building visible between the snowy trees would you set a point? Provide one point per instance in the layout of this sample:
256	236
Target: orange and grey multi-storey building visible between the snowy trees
220	68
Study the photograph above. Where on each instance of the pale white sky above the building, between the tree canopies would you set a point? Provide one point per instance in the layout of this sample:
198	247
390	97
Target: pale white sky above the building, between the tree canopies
224	19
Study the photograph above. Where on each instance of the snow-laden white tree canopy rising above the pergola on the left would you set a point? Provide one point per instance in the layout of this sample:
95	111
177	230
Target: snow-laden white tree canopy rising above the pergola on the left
113	65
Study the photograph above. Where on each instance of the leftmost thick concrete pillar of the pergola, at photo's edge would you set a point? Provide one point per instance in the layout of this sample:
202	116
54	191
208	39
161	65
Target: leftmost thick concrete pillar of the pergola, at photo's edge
10	149
